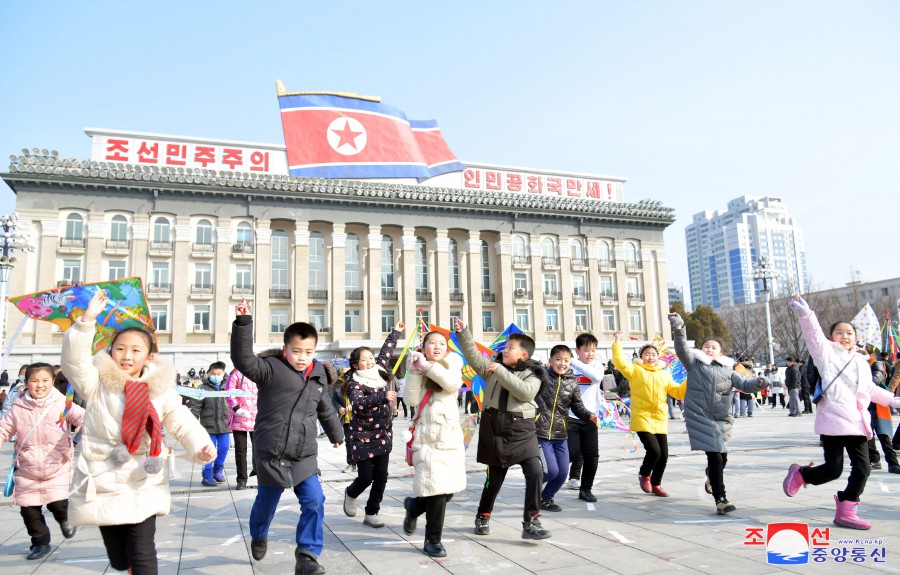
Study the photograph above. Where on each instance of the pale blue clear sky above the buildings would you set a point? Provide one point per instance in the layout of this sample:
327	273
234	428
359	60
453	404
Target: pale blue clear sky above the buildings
696	102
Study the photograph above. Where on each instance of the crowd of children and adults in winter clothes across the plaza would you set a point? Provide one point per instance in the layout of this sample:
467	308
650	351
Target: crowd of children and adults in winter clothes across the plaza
540	416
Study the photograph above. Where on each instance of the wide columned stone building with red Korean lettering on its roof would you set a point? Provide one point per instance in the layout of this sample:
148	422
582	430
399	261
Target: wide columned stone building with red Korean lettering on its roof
207	223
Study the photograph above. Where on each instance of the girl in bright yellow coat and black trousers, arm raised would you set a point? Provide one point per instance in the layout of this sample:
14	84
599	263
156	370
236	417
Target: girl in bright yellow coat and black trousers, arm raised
650	383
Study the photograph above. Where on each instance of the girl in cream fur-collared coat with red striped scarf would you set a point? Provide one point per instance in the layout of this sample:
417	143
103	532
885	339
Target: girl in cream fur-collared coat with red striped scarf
120	480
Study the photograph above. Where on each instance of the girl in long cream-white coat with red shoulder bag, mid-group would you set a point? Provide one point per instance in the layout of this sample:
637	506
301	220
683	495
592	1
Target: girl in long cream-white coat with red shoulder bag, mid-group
439	457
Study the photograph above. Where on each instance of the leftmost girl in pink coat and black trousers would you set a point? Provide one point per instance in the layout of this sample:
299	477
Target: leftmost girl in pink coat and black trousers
44	453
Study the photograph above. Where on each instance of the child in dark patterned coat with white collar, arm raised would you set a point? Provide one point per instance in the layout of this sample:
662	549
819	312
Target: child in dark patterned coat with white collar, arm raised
368	387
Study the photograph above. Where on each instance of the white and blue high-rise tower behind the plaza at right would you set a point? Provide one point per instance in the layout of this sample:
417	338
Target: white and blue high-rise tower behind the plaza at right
724	248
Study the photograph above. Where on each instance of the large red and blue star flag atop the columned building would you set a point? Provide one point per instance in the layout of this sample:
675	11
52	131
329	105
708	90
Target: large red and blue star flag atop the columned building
331	135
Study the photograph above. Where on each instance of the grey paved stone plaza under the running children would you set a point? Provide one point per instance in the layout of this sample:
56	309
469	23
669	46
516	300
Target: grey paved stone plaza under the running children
626	531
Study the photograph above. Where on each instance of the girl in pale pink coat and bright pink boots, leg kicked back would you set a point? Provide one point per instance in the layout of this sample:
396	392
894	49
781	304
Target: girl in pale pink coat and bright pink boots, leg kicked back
842	417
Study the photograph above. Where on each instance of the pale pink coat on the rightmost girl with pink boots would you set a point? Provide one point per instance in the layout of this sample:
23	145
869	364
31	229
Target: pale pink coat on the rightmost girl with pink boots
843	408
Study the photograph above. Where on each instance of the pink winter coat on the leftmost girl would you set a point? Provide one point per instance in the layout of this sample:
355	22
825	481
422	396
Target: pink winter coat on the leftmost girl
44	463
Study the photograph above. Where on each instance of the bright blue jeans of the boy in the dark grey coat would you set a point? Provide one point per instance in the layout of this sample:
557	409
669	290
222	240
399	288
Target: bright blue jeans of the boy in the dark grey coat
310	535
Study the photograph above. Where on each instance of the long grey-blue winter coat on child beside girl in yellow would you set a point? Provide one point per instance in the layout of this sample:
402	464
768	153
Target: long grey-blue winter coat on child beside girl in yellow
707	395
